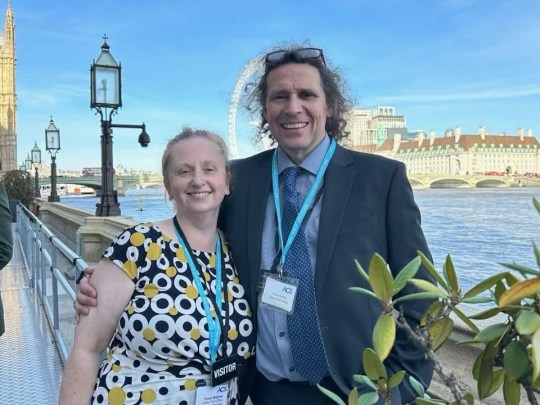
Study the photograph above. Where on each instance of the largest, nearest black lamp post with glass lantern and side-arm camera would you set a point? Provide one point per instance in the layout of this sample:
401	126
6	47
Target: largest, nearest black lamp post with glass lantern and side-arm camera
106	93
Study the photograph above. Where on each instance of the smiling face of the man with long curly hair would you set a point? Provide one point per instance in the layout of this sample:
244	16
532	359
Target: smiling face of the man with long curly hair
296	109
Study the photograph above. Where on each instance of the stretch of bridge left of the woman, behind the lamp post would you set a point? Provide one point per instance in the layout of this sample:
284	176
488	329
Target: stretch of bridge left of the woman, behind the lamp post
121	183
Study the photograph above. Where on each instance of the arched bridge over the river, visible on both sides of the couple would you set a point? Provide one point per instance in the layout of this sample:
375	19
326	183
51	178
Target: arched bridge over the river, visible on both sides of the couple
124	183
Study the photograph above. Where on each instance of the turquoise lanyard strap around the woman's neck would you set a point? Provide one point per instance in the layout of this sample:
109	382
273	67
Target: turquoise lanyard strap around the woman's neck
214	325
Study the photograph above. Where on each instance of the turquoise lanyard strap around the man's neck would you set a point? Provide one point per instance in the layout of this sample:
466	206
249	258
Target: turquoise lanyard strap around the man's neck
284	248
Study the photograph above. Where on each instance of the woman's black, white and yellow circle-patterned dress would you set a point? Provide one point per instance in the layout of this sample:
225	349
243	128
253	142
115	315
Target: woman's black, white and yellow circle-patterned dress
160	348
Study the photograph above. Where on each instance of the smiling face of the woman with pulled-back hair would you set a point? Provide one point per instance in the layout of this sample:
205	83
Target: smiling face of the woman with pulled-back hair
197	178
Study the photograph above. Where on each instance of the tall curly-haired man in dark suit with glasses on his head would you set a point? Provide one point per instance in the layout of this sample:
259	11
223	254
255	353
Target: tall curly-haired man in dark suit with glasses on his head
351	206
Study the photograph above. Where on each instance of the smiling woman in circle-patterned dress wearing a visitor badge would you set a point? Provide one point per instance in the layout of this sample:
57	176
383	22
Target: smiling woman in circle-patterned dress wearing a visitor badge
169	293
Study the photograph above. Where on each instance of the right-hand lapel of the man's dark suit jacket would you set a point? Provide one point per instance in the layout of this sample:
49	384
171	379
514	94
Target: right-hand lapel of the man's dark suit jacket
338	183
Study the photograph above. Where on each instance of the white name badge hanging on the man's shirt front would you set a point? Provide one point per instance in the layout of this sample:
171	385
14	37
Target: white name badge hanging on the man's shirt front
279	293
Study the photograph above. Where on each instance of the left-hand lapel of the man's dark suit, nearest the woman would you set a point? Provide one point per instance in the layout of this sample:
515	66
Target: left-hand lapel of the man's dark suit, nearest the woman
260	183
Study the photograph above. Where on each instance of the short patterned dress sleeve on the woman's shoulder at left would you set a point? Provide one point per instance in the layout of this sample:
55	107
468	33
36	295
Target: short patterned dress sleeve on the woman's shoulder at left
130	248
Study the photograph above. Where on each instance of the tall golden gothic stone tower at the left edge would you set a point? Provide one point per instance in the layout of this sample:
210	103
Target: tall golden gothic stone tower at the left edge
8	98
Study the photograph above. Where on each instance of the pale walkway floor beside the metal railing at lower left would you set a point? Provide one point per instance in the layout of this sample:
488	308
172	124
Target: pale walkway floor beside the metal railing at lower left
30	365
